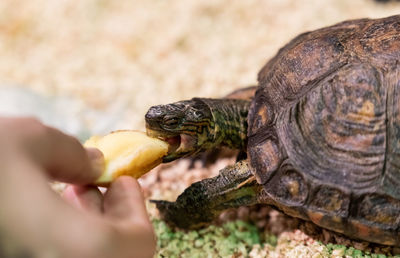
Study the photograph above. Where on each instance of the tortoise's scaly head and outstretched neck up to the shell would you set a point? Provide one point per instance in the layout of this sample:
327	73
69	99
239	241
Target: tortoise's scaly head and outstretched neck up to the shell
199	124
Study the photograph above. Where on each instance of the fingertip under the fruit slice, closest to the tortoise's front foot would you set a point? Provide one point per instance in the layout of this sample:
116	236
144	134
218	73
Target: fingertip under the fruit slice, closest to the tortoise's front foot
124	201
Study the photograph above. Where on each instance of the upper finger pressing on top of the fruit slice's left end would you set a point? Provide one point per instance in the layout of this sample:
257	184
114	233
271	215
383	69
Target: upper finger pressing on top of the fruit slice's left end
62	156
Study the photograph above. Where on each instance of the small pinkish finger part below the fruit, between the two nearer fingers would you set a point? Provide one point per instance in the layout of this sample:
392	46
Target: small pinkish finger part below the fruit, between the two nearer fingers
85	198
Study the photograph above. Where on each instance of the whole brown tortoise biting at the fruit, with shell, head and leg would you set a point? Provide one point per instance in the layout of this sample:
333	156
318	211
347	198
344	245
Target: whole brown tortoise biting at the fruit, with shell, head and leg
321	132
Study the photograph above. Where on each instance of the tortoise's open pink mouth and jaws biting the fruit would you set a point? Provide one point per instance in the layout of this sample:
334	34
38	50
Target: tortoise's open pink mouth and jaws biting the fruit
179	145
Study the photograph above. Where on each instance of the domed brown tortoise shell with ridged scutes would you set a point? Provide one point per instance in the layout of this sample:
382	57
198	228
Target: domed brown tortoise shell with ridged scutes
328	106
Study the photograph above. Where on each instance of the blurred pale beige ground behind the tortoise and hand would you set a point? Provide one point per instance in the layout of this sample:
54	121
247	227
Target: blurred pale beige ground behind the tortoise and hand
88	67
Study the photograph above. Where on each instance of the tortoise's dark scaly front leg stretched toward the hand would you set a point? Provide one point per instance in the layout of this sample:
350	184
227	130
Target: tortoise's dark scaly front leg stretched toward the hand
203	201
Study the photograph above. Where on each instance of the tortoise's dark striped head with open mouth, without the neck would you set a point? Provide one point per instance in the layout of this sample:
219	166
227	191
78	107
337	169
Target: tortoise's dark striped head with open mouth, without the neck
186	125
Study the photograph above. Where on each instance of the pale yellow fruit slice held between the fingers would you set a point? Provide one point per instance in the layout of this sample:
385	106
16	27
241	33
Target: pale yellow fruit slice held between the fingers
130	153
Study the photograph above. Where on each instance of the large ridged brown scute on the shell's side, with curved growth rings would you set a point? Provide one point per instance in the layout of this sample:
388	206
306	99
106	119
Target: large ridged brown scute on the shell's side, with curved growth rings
337	132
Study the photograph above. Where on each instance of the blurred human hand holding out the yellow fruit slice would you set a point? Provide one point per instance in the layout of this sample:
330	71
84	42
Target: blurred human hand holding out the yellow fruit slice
41	222
